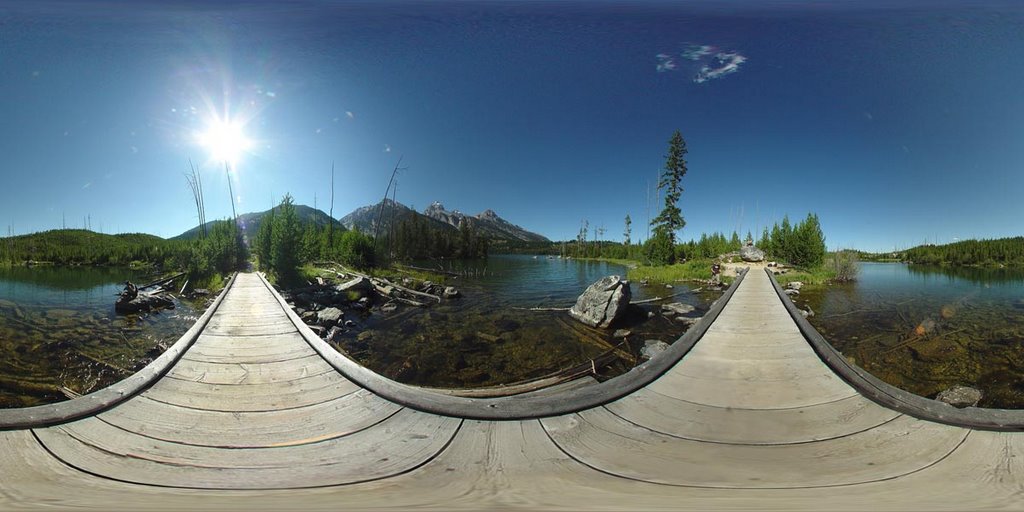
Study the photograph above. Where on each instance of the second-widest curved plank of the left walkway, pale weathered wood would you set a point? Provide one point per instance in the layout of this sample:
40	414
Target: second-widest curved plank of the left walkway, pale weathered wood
334	418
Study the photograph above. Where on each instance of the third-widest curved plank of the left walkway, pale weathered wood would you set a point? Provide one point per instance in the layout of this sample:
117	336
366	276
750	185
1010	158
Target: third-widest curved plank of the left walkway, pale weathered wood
252	398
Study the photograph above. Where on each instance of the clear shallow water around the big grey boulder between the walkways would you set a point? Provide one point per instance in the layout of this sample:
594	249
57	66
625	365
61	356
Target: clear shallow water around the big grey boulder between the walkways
488	338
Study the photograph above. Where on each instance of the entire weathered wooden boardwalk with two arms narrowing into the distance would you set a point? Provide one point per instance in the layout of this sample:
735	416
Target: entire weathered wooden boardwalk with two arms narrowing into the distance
253	417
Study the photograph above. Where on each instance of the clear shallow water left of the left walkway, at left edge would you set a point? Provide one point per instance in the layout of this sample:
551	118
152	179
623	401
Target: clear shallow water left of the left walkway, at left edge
59	328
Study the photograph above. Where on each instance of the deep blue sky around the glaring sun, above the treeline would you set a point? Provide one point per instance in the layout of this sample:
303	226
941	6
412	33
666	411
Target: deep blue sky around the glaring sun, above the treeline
895	125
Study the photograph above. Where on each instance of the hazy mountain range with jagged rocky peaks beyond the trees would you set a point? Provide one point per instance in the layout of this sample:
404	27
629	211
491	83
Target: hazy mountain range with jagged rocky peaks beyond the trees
367	218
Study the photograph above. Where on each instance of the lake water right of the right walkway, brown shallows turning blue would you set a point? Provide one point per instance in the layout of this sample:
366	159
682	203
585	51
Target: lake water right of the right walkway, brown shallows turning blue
926	329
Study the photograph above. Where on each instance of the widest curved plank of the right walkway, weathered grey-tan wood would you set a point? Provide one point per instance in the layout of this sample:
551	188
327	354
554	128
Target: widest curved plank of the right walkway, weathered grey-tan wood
609	444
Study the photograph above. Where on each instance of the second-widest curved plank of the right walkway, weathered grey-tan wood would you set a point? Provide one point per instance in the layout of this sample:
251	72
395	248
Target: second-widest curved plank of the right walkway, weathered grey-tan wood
743	426
